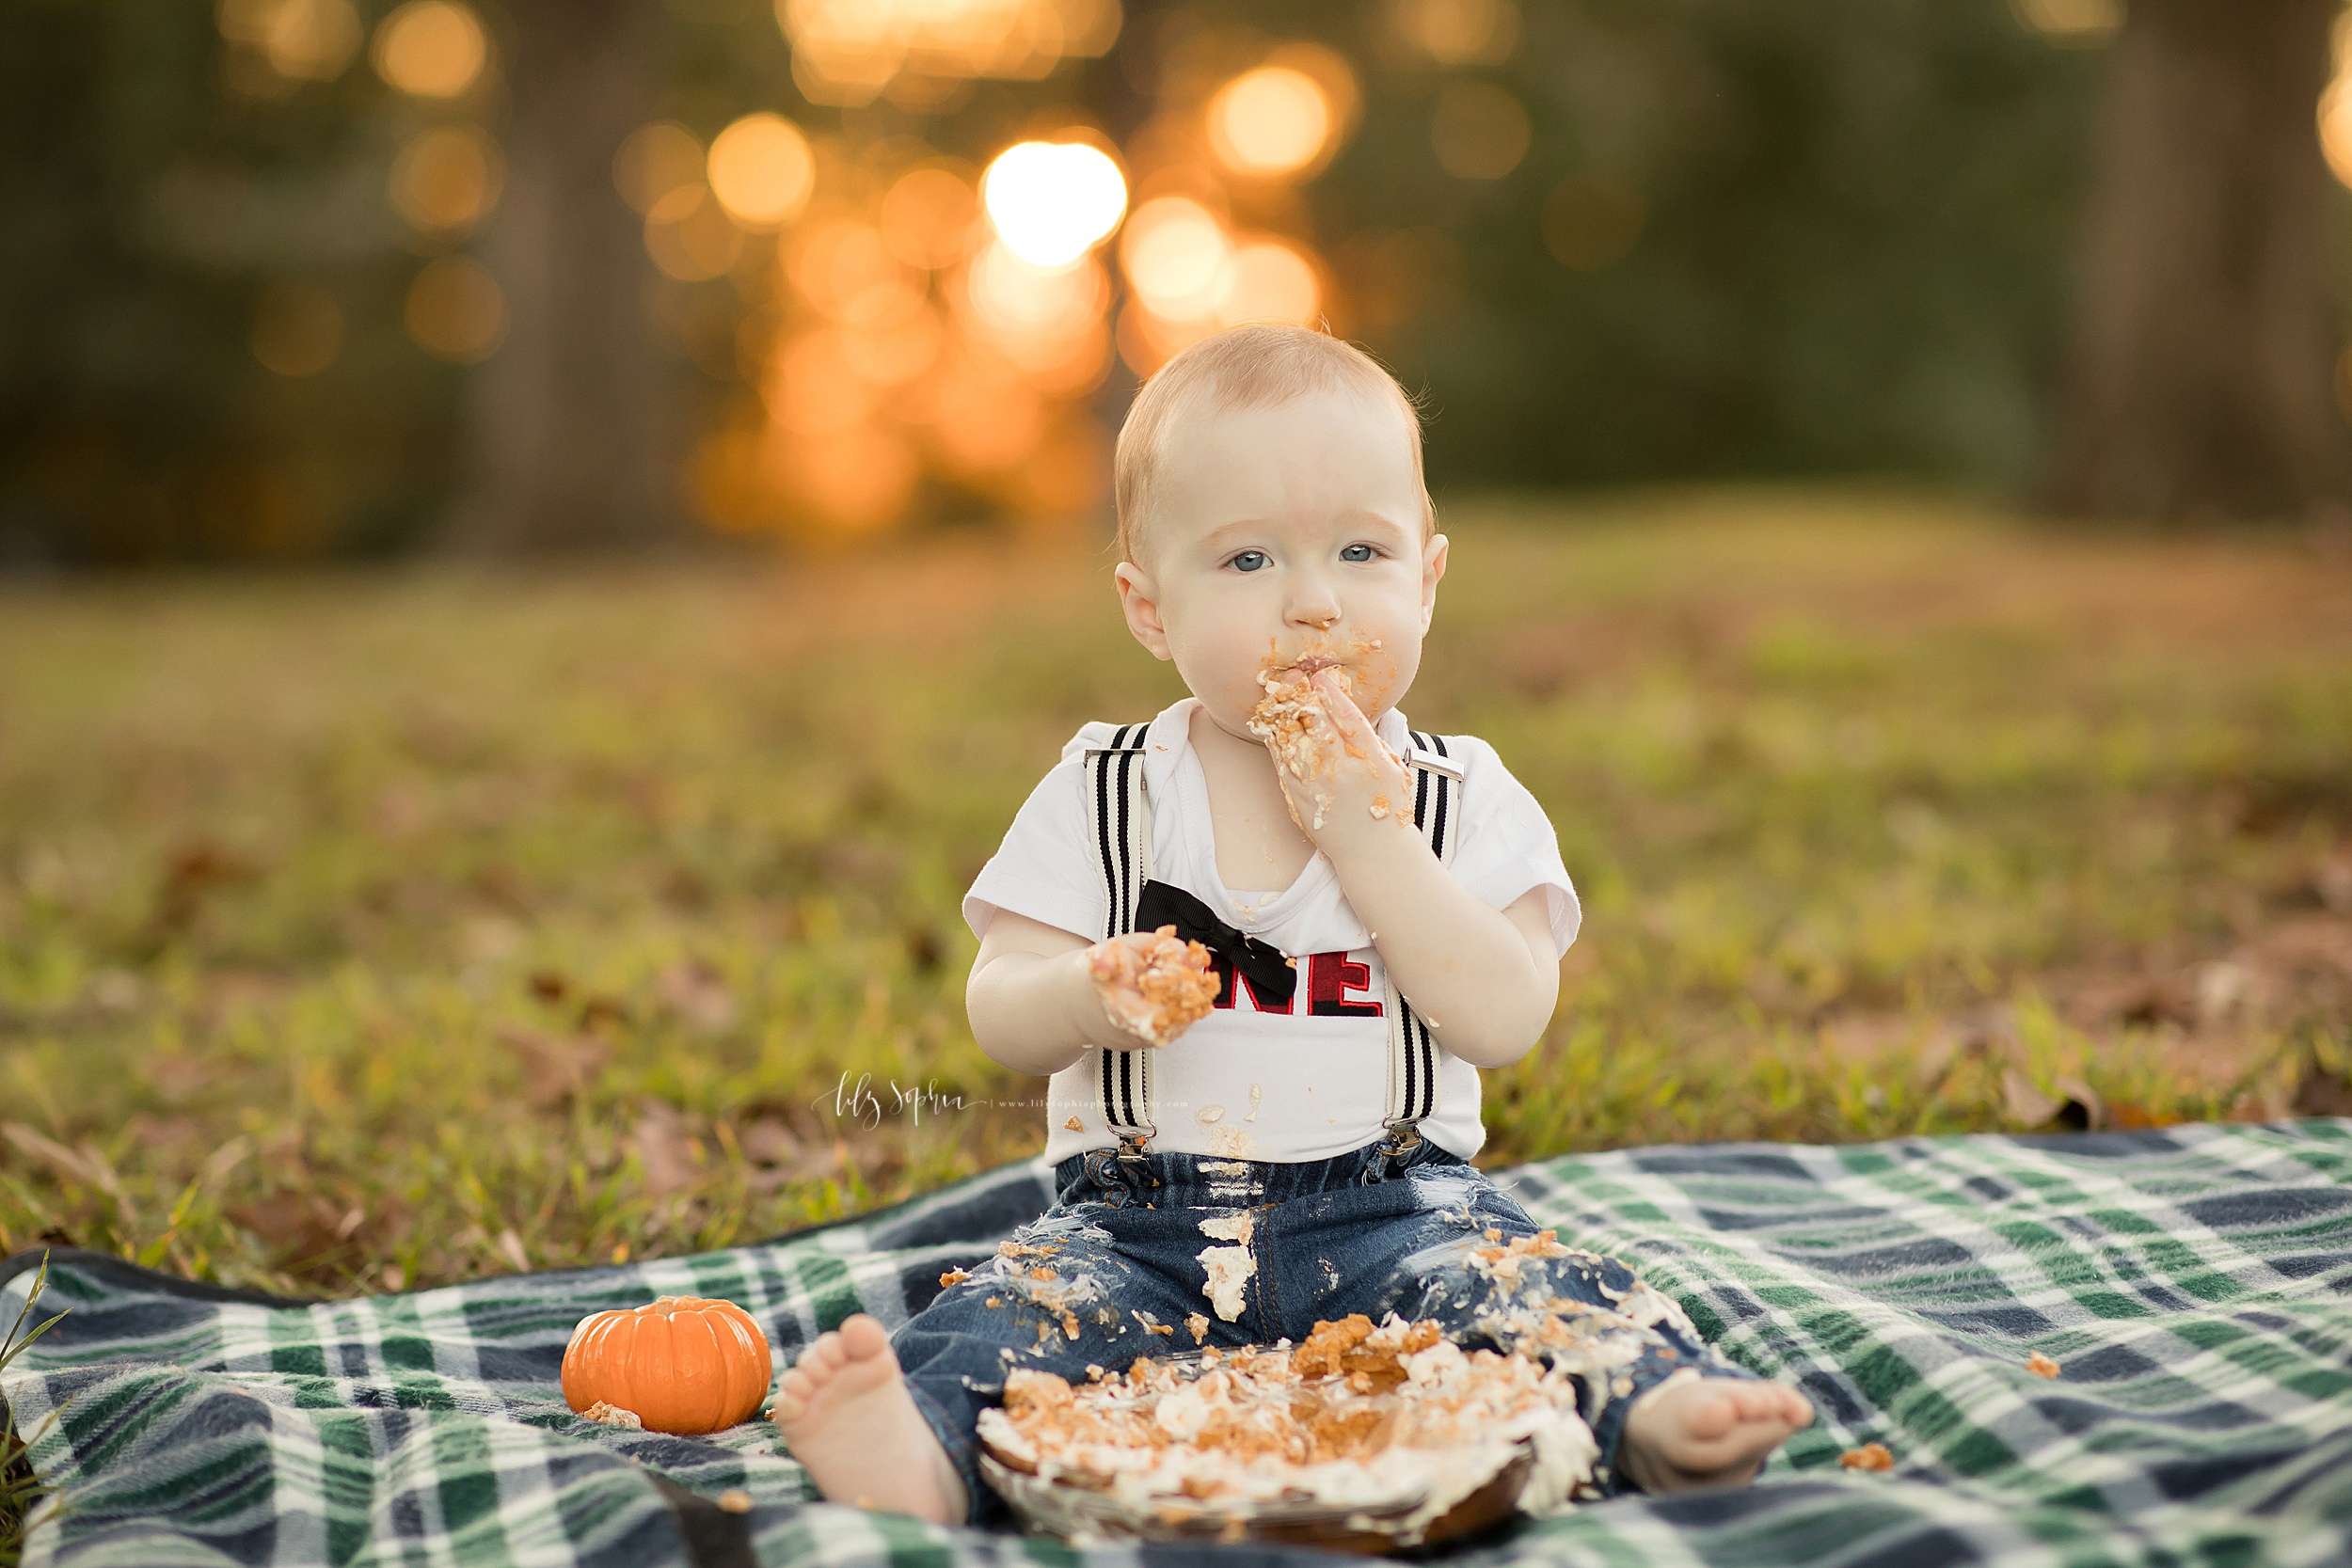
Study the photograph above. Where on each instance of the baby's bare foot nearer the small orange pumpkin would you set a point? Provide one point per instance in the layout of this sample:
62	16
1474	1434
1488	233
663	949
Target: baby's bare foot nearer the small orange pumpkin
848	1419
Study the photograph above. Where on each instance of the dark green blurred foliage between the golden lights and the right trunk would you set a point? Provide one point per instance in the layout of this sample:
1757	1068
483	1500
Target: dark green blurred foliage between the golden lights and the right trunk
1819	236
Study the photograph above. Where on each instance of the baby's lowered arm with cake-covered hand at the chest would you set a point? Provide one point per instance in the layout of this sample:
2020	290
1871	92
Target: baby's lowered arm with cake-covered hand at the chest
1041	996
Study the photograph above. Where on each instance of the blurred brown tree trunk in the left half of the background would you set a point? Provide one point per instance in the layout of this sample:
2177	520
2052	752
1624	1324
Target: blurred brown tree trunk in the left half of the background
566	420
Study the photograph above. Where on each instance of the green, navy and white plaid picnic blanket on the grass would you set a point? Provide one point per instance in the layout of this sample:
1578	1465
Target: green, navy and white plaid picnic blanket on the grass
2191	1282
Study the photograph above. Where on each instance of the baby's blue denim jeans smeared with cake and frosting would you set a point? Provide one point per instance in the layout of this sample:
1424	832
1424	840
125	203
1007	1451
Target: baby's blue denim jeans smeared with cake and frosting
1116	1271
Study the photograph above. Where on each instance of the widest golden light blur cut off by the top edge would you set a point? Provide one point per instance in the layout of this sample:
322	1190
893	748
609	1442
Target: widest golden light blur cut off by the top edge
850	51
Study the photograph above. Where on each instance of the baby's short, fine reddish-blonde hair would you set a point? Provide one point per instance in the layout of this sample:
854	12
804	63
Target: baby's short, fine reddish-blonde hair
1245	368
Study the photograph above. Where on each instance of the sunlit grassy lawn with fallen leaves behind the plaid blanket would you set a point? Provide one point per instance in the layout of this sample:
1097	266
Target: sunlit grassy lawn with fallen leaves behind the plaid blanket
375	932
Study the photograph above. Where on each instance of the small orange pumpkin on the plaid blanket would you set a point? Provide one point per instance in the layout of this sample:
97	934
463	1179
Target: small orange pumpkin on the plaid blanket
686	1365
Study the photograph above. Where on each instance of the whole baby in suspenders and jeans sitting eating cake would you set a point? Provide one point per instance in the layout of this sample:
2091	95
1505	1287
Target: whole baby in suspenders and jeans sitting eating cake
1264	946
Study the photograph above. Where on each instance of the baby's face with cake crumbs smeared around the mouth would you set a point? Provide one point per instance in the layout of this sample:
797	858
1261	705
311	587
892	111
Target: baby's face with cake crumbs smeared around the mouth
1288	540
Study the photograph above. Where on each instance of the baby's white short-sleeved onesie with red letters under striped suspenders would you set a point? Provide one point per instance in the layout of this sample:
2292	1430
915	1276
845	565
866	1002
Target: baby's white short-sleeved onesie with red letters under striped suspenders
1262	1080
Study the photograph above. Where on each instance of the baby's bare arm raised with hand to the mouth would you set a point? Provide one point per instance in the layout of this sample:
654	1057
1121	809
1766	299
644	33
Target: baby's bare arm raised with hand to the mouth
1483	979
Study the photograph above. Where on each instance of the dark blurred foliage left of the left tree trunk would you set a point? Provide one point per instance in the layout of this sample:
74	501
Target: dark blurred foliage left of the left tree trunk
201	283
